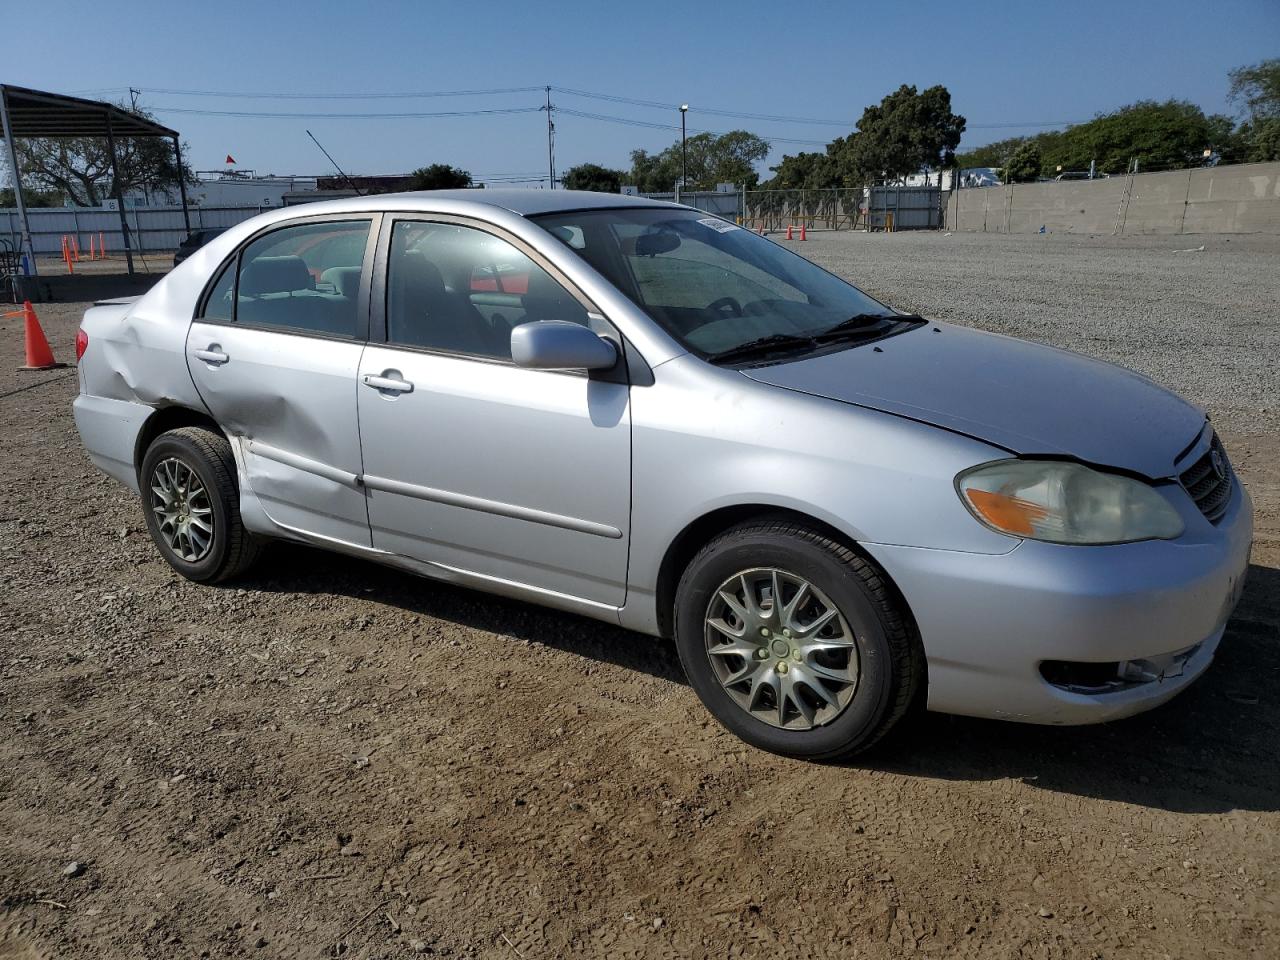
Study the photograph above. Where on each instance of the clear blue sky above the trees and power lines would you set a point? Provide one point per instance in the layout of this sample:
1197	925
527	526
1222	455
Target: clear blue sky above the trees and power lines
1032	63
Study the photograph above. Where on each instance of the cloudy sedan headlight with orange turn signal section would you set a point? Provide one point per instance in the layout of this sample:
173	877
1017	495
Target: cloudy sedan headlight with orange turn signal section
1063	502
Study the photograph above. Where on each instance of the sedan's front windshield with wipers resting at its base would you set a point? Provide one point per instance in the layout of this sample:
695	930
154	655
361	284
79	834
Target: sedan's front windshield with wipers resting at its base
714	286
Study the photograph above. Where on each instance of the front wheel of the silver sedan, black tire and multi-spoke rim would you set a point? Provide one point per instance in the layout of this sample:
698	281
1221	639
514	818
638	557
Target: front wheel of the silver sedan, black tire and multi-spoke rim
871	630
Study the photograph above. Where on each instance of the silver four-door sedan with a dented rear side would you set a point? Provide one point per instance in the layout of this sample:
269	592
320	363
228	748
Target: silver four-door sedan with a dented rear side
644	414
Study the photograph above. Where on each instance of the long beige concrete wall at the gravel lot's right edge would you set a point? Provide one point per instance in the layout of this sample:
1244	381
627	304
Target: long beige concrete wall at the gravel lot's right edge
1240	199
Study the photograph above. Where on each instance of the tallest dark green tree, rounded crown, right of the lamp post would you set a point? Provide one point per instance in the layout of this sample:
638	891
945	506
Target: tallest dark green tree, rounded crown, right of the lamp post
907	132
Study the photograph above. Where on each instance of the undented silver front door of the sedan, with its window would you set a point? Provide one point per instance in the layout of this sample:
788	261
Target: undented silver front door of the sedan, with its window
473	463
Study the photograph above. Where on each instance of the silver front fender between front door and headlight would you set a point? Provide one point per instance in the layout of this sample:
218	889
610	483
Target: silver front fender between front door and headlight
707	438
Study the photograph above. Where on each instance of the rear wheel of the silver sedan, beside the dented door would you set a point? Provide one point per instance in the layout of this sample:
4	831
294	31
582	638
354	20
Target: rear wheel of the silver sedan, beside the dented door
228	550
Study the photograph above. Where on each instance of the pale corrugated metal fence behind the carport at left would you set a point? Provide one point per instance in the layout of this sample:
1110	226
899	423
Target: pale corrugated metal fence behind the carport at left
150	228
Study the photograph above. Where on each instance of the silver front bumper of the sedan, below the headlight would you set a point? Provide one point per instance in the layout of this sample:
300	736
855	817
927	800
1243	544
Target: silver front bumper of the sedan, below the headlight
991	623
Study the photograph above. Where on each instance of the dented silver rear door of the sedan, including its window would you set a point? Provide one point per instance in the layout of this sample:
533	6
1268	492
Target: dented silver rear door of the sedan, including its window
275	351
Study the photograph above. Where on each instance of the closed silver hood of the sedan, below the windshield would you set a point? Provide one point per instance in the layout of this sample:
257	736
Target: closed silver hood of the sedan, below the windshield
1026	397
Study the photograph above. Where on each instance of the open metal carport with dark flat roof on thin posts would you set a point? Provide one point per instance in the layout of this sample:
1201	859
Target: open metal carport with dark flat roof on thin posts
35	113
